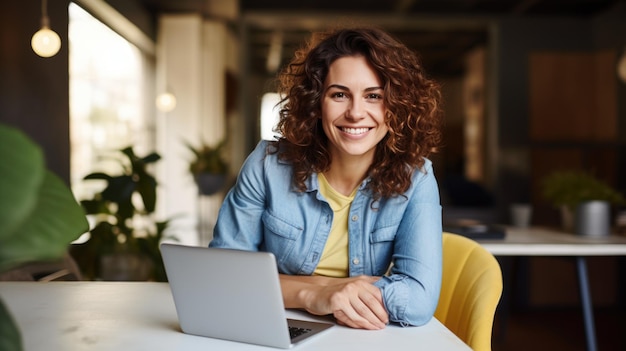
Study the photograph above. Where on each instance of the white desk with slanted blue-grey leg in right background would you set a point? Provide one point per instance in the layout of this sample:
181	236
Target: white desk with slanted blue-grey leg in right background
535	241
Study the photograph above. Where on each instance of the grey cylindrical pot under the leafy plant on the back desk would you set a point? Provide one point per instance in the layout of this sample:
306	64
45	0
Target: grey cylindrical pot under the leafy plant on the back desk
593	218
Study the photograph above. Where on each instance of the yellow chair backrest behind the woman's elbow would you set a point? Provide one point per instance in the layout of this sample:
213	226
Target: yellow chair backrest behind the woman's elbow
470	291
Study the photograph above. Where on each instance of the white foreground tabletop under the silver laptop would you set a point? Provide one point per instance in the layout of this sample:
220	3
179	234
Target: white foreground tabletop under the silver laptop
71	316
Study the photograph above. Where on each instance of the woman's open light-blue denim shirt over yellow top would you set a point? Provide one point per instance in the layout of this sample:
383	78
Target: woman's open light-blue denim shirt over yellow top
263	212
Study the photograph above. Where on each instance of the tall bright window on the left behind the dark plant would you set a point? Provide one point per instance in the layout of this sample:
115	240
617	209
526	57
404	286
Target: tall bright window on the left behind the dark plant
108	109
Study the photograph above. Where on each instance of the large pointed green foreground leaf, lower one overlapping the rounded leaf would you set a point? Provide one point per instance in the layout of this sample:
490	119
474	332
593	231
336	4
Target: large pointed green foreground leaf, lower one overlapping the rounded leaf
56	221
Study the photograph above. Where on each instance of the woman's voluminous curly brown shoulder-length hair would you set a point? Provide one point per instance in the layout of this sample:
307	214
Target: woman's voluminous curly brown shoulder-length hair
412	100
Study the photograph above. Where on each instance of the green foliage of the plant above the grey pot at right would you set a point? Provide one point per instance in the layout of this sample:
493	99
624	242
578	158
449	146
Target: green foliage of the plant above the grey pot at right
567	190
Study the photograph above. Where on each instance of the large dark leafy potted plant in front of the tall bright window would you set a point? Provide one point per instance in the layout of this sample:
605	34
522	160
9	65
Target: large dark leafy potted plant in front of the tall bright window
124	240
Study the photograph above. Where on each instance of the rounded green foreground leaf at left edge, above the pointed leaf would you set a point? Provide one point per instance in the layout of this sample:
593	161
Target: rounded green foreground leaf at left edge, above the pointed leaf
21	175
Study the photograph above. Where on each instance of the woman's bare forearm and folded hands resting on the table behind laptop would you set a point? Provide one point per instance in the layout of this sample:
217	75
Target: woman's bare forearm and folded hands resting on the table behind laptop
354	302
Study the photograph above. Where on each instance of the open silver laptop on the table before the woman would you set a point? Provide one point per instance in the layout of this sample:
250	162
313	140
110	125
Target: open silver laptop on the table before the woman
232	295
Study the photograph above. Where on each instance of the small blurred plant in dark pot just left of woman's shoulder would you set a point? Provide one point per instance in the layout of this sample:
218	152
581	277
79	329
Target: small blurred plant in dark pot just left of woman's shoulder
208	167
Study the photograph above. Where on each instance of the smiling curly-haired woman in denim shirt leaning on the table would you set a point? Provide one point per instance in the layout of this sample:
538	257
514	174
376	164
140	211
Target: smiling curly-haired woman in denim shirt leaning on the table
345	198
